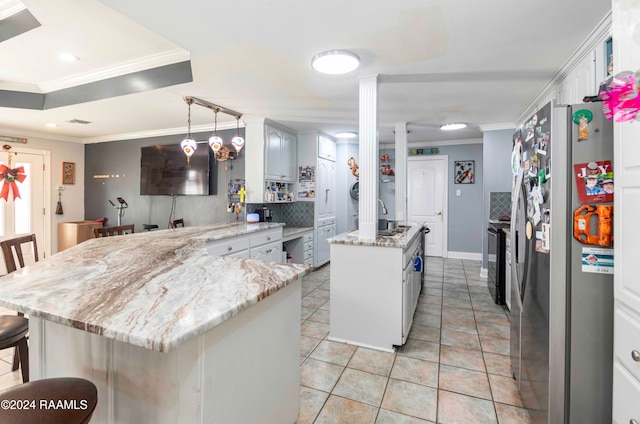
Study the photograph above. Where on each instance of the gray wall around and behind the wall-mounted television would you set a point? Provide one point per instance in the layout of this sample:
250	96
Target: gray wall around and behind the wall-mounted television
122	158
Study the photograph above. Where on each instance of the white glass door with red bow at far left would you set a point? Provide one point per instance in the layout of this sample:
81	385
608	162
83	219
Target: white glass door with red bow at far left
25	214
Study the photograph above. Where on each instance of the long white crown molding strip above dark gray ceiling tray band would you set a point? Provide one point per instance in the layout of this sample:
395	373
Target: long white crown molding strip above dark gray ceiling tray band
148	62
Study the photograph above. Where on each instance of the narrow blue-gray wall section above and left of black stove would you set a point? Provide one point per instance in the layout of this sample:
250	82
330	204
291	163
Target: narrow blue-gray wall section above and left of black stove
497	177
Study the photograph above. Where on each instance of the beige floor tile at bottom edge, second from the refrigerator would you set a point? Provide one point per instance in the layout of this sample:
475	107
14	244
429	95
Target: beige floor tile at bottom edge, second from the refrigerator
454	408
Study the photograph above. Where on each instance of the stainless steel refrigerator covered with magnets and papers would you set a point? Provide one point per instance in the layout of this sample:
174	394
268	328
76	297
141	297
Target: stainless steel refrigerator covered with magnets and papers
562	295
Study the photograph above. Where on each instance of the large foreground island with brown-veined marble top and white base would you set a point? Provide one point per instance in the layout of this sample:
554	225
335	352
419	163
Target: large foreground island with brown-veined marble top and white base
168	333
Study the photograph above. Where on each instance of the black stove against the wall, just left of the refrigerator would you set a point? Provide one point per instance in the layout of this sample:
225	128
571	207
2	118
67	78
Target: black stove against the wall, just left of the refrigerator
496	245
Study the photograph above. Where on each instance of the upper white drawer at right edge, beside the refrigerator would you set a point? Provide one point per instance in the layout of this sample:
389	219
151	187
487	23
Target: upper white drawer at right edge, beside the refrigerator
626	341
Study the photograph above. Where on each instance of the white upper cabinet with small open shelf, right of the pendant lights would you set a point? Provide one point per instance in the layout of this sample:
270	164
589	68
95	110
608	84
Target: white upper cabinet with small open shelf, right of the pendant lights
270	161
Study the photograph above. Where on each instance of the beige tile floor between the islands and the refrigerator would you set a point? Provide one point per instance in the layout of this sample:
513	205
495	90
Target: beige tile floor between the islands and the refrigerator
453	369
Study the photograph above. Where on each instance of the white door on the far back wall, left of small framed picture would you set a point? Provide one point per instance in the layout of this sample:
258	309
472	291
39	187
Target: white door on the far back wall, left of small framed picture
426	199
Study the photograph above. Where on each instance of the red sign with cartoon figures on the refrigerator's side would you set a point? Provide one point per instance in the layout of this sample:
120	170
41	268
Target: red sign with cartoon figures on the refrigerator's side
594	181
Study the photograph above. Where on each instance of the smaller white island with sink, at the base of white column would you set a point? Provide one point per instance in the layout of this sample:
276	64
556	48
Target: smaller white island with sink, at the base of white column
375	286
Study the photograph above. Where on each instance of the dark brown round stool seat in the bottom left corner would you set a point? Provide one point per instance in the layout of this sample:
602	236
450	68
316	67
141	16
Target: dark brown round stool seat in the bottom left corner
49	401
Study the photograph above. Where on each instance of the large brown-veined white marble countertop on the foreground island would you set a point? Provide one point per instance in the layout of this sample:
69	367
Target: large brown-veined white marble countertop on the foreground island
153	289
